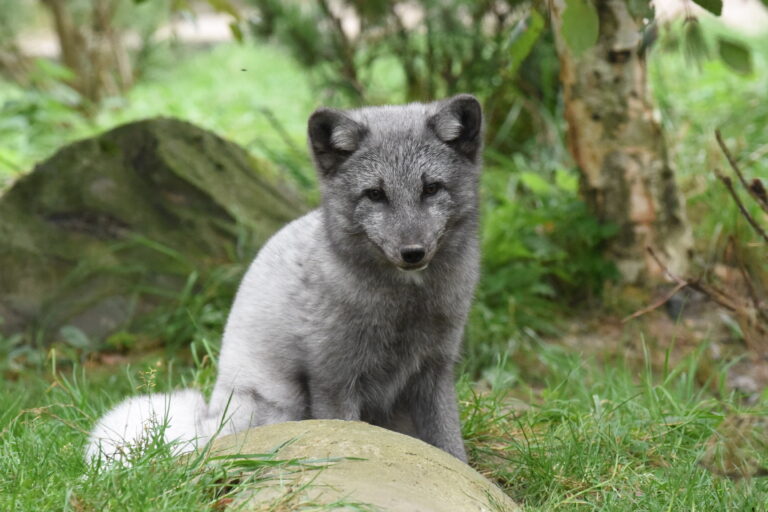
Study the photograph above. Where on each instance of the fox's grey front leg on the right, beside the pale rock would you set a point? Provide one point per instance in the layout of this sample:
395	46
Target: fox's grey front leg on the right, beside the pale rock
434	409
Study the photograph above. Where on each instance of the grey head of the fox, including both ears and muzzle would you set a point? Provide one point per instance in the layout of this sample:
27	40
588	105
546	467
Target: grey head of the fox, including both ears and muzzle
397	179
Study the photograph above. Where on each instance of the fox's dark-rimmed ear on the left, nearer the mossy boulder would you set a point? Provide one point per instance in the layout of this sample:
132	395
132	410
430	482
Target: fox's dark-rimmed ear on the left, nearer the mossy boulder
333	137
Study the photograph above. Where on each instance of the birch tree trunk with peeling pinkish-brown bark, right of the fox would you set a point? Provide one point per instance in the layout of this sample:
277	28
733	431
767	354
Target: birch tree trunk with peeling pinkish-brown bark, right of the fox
626	174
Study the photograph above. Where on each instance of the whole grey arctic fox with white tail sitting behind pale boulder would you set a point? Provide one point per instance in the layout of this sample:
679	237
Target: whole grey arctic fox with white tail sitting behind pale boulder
355	311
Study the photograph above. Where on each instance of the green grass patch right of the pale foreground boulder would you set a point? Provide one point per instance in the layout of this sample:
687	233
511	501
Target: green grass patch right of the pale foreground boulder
602	437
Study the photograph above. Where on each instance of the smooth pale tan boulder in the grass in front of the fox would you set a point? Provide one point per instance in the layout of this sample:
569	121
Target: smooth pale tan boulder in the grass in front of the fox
366	467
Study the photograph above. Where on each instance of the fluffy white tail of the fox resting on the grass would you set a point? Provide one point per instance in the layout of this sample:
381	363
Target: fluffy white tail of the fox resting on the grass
179	418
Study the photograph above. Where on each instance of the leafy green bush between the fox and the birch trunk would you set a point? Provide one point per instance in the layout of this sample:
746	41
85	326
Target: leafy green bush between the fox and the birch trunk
541	254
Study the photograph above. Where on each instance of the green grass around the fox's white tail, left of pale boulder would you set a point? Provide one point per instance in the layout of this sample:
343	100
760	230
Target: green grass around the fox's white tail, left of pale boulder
41	458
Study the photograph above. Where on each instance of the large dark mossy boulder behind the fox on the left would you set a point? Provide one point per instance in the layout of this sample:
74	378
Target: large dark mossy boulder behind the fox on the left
88	232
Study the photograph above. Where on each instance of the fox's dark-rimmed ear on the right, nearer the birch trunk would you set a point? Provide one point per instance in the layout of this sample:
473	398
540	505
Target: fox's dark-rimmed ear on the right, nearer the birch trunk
459	123
